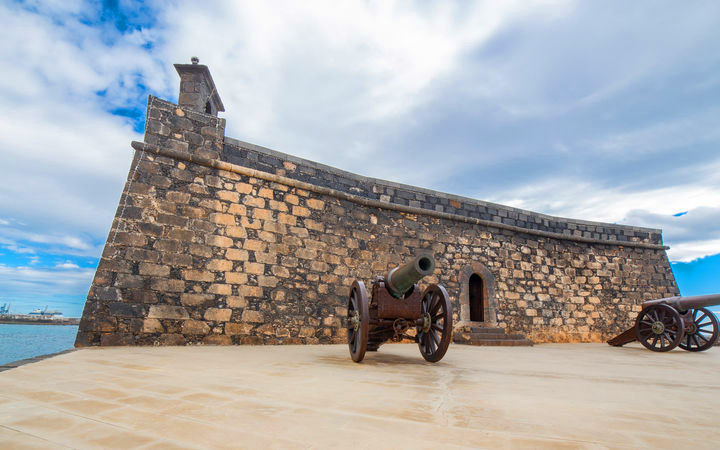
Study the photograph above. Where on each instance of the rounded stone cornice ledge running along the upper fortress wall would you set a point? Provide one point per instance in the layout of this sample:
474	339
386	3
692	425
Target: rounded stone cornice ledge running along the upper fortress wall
246	171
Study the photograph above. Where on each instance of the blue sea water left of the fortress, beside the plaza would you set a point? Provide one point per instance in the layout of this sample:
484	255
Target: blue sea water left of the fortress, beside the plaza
27	341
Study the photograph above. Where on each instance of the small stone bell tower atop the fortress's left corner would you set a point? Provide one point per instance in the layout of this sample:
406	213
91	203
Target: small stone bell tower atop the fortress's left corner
197	88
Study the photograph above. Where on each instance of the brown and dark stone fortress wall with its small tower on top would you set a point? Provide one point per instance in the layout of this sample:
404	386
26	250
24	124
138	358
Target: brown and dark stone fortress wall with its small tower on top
219	241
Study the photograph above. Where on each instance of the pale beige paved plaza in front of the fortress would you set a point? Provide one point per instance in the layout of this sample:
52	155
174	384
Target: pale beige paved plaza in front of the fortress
557	396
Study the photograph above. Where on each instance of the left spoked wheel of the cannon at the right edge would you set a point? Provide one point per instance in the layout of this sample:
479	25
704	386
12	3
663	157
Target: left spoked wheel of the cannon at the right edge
659	328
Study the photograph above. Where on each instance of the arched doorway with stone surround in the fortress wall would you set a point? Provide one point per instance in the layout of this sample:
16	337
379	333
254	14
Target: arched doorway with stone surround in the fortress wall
477	295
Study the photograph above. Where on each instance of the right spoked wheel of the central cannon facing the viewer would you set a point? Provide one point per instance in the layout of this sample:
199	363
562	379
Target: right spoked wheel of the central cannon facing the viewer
436	332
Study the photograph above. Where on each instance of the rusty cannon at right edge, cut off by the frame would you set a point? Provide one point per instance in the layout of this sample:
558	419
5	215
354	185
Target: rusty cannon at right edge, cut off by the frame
666	323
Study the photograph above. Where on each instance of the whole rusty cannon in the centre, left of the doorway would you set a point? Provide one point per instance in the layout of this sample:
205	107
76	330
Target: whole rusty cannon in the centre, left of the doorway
396	306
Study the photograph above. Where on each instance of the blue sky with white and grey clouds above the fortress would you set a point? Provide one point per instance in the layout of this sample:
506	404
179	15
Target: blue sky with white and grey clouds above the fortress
594	110
